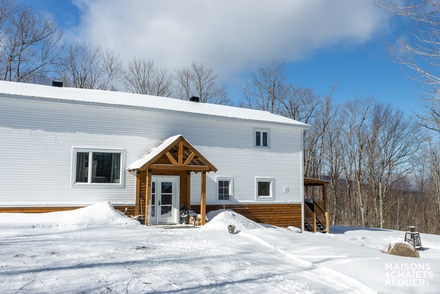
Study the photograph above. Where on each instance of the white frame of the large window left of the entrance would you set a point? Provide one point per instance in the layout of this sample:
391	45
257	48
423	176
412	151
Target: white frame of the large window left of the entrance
89	184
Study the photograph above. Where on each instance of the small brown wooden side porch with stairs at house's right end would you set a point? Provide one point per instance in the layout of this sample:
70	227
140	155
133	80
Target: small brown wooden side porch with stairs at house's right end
316	218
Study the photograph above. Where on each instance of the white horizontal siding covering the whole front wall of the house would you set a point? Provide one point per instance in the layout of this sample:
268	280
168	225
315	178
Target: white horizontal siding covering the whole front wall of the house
37	139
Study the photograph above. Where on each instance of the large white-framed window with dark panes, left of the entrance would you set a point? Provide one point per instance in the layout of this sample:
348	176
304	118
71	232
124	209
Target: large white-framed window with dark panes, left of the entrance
97	167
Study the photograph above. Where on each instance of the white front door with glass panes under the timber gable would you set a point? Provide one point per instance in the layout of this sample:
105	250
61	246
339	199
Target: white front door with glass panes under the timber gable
164	206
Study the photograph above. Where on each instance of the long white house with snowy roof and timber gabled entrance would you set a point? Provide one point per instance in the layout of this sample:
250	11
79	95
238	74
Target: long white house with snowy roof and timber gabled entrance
63	148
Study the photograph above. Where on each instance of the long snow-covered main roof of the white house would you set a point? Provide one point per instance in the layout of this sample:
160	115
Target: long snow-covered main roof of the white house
142	101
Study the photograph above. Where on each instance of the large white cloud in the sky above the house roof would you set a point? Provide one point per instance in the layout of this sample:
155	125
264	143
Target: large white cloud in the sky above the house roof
227	35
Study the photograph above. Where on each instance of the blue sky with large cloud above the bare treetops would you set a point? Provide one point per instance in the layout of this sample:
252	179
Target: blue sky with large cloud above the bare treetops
323	42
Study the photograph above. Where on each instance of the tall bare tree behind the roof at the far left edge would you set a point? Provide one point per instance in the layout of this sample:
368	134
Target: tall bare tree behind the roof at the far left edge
29	44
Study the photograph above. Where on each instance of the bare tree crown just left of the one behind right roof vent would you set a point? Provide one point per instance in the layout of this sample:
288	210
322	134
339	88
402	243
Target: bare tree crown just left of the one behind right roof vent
143	77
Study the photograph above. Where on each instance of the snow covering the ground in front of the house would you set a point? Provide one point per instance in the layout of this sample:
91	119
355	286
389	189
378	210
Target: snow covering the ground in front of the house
98	250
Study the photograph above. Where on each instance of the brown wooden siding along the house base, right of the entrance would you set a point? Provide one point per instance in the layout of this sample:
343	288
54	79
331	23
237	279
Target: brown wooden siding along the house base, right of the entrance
280	215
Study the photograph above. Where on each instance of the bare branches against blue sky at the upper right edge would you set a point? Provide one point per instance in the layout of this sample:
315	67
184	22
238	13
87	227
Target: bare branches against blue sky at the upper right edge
419	51
